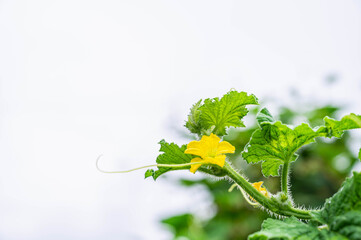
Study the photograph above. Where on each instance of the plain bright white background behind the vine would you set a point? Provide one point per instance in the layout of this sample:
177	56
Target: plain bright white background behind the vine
112	77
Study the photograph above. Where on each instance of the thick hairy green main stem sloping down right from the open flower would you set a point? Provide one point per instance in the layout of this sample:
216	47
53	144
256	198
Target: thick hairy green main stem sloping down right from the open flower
269	203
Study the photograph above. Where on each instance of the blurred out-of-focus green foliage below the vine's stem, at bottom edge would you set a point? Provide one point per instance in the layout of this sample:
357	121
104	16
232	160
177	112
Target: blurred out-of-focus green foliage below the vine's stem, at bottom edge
226	223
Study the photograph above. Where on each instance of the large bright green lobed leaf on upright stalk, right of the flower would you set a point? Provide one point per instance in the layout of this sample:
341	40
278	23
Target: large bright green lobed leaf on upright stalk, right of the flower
275	143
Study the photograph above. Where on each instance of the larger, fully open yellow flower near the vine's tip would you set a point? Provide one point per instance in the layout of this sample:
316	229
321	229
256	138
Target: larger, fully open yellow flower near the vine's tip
210	150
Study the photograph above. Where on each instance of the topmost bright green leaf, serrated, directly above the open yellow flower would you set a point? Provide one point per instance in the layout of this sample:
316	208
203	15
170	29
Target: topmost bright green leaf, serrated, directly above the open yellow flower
215	115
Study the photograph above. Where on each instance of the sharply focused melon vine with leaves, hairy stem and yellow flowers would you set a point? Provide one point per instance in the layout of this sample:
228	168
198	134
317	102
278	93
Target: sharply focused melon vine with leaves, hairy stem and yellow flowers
274	145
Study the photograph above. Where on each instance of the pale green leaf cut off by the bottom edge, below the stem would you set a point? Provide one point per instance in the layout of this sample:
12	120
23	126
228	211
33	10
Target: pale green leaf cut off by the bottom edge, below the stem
290	229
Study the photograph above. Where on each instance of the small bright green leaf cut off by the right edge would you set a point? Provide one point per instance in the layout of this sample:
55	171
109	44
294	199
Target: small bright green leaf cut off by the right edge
336	128
